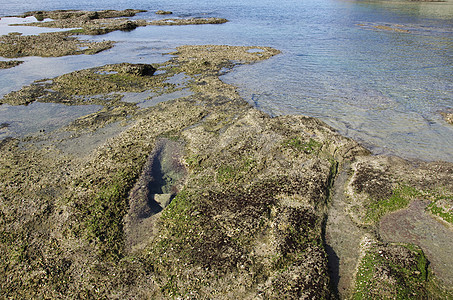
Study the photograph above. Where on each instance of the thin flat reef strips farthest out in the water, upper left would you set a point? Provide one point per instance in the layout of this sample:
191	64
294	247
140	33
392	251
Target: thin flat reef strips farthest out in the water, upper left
56	44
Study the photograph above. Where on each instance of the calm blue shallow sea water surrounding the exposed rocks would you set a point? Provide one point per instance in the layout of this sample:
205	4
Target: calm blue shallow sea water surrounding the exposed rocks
384	88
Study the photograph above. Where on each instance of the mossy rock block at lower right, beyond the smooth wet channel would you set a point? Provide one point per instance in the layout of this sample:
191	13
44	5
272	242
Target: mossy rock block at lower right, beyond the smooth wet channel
379	186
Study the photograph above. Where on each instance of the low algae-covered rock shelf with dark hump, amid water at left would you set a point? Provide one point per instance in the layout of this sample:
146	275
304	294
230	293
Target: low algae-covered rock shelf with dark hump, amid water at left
72	87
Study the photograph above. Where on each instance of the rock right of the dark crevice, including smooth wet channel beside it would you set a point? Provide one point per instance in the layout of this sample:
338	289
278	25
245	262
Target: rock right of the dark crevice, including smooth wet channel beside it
376	196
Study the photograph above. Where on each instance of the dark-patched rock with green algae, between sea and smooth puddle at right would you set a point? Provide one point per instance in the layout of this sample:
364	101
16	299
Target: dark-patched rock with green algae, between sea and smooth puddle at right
380	185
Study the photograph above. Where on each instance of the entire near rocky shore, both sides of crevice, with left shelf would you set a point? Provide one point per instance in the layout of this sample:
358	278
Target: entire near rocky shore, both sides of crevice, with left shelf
204	196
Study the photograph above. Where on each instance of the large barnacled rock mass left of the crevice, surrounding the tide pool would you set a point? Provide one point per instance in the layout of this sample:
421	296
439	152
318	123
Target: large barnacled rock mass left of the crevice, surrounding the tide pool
250	209
